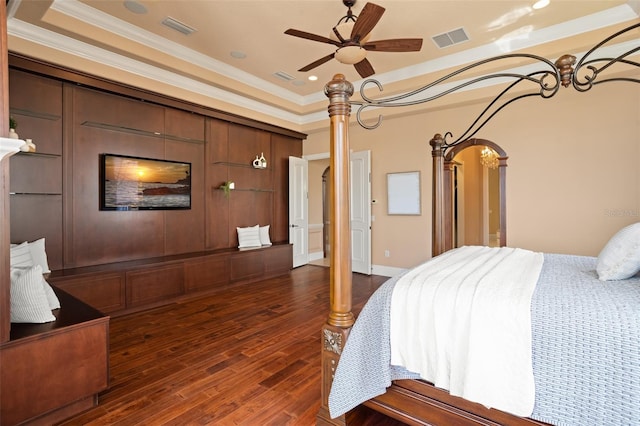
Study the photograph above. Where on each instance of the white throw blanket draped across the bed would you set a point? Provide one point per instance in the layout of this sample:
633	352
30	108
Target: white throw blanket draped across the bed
462	321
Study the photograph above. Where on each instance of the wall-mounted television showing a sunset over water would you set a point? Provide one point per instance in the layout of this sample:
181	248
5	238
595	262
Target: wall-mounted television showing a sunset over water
136	183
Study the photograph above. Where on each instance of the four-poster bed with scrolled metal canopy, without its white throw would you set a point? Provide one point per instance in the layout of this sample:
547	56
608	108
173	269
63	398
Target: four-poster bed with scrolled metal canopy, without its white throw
361	370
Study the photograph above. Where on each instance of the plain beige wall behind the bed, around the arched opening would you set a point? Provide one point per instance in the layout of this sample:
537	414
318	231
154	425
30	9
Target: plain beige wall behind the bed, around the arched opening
573	177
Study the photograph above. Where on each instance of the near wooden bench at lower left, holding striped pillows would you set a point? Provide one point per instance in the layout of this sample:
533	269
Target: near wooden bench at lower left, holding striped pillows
55	370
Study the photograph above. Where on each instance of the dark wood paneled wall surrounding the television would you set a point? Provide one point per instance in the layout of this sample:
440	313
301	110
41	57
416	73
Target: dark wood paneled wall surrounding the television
56	190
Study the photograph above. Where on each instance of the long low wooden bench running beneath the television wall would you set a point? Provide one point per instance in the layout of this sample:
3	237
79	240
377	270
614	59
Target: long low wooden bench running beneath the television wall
124	287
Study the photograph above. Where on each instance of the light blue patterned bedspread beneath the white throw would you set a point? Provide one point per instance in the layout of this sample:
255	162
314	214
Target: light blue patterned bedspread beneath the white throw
585	338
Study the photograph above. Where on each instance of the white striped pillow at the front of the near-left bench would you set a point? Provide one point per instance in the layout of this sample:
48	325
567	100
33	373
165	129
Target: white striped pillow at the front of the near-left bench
29	303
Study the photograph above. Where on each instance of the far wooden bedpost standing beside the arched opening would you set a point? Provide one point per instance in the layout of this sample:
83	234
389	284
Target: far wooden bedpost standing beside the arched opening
437	210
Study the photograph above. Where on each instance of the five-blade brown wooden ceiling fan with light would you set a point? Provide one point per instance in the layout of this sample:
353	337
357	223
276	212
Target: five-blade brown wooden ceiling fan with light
351	37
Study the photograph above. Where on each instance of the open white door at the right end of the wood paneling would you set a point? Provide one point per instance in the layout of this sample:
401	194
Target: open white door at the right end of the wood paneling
298	210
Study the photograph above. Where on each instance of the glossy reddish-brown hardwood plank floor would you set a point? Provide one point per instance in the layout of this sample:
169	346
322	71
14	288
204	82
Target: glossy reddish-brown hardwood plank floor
249	355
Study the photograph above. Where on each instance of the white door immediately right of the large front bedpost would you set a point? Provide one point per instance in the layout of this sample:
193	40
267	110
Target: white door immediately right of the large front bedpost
361	212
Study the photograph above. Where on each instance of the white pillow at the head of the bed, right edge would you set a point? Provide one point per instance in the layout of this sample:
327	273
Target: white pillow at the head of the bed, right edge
620	257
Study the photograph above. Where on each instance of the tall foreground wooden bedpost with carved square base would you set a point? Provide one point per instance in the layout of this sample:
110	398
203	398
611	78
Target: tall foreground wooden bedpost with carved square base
336	330
